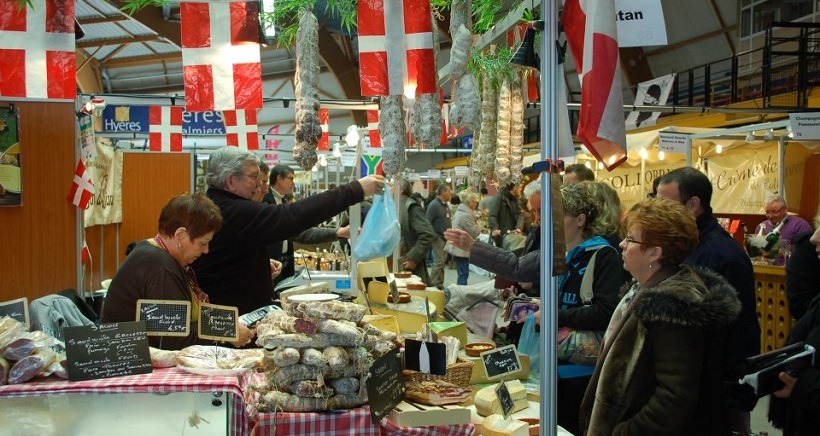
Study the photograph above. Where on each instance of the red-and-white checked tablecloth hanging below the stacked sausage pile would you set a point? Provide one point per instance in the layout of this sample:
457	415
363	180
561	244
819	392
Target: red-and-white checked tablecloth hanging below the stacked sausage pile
353	422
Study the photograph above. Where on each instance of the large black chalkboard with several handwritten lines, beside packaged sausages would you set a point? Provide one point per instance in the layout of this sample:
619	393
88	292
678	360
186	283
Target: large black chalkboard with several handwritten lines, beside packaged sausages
107	350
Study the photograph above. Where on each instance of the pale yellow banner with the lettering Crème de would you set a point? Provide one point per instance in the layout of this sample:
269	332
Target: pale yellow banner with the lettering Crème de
742	181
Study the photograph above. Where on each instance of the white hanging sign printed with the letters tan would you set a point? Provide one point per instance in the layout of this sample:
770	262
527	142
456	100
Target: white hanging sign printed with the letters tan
640	23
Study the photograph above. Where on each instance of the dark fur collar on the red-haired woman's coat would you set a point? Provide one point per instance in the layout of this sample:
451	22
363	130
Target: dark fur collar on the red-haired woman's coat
694	296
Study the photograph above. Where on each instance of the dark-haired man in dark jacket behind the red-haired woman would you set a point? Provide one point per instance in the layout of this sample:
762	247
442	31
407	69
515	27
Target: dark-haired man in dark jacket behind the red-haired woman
717	251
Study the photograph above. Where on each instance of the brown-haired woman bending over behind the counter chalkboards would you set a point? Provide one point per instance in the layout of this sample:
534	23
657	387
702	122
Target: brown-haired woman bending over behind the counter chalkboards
157	268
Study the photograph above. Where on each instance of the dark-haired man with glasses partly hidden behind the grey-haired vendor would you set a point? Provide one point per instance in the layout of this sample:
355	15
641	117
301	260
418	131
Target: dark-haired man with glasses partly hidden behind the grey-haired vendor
282	184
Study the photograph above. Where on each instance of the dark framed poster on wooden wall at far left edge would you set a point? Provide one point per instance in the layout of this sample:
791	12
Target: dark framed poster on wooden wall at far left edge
11	177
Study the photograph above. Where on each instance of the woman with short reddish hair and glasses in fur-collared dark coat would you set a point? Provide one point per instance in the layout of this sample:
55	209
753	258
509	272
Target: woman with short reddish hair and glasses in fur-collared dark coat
660	371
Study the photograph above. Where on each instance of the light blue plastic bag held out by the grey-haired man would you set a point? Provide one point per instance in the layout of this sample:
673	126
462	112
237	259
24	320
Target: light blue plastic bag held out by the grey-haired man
381	232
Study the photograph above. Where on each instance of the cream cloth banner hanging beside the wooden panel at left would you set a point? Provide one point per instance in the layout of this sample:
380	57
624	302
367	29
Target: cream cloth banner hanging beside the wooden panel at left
105	169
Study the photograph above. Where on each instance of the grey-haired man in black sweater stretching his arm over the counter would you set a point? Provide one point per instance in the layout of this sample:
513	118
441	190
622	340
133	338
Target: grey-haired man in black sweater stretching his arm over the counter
238	271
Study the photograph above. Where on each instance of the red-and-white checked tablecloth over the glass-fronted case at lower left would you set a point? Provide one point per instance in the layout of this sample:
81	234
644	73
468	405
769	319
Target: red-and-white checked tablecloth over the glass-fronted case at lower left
160	381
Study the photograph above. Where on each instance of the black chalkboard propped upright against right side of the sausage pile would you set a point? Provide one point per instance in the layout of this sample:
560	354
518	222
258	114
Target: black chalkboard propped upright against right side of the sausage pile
385	385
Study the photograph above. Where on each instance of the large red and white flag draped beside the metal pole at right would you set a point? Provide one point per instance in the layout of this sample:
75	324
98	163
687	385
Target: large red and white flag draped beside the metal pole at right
592	37
